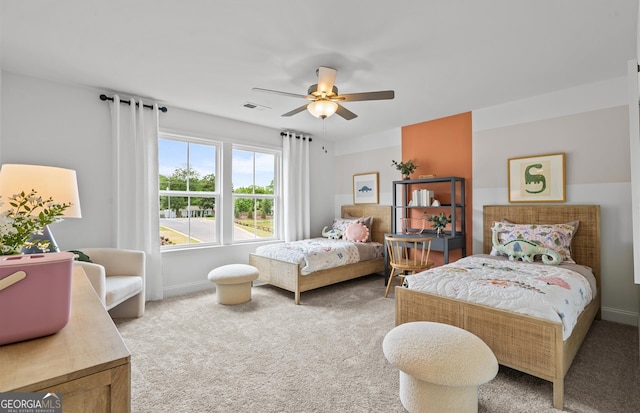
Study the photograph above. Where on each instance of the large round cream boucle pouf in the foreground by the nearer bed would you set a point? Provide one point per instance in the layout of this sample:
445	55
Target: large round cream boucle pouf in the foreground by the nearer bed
441	366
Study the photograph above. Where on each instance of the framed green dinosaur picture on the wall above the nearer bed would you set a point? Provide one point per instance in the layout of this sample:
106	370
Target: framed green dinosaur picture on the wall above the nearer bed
538	178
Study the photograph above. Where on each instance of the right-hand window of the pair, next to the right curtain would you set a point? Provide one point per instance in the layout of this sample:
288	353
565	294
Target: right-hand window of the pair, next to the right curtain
254	200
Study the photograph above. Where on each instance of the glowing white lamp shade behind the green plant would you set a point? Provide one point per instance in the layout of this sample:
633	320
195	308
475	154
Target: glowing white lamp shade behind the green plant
59	184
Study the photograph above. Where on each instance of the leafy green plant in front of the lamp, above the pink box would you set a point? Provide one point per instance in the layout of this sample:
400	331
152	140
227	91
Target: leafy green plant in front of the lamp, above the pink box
28	216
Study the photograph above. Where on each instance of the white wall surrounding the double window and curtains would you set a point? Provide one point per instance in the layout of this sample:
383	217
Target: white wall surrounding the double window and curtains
64	125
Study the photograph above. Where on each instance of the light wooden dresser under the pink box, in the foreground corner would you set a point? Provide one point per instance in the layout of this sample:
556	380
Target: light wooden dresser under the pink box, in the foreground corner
86	361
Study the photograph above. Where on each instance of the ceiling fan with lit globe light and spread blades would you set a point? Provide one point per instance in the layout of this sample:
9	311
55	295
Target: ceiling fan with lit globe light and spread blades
325	99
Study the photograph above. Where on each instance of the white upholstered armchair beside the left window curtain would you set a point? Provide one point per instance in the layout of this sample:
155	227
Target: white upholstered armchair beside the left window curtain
118	276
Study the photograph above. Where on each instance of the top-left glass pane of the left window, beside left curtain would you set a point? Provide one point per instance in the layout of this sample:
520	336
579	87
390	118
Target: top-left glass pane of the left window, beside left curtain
172	165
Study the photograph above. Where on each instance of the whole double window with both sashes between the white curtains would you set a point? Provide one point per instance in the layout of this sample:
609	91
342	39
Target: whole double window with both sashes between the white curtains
193	190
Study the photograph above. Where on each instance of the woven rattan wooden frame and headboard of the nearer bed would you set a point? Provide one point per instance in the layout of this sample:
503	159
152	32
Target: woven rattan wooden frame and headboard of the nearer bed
528	344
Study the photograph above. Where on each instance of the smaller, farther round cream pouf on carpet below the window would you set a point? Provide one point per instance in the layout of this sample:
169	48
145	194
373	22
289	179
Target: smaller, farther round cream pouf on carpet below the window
233	282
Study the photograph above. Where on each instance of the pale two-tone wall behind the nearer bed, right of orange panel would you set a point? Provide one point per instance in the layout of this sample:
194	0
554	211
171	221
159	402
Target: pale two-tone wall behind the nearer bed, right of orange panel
590	124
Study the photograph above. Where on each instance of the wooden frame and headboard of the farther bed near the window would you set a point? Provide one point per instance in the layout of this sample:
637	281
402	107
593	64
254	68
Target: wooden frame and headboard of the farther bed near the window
287	275
